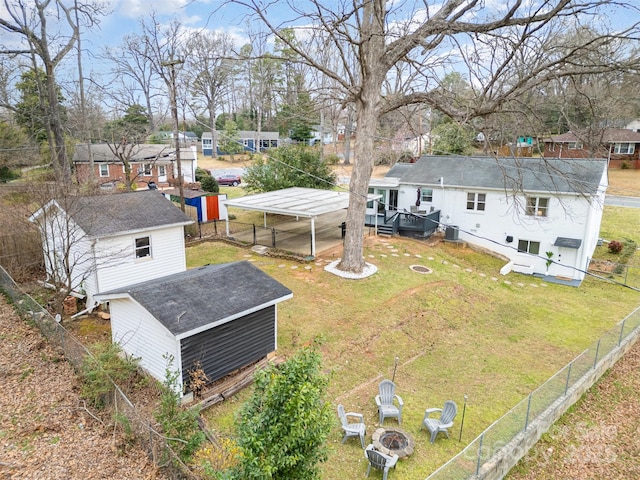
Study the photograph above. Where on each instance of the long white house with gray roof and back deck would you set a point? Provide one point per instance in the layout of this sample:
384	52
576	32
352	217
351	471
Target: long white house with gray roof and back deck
520	208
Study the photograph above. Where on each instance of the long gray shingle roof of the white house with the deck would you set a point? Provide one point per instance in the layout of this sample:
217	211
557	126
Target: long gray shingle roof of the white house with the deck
580	176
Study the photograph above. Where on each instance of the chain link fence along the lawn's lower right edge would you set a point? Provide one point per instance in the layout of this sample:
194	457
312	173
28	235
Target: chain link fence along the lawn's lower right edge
496	450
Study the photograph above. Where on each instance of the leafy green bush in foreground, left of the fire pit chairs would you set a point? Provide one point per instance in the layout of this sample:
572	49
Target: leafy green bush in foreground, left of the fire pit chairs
283	427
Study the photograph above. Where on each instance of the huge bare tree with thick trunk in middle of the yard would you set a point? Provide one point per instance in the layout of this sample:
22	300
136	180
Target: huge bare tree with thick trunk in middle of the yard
506	51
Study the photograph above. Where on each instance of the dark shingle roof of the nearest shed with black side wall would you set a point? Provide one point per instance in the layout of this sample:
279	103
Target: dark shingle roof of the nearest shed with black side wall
189	300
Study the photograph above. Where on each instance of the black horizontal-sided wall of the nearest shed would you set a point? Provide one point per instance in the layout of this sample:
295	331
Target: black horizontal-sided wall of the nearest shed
230	346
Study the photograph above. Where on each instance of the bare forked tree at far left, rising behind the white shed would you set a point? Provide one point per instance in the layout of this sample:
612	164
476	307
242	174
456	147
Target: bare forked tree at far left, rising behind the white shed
46	49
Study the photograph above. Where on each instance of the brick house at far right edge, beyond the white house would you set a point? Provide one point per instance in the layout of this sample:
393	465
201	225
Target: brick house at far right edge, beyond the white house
620	146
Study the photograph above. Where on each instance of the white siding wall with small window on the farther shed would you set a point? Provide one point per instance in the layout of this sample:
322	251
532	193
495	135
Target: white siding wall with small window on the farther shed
167	257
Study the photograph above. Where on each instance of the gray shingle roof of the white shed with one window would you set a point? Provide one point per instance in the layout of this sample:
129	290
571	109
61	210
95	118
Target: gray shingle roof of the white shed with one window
105	215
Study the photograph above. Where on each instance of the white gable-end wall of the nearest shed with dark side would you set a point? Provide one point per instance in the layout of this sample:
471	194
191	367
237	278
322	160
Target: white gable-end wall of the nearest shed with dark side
142	336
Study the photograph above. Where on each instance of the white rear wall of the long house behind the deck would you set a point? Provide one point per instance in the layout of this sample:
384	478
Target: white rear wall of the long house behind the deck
569	216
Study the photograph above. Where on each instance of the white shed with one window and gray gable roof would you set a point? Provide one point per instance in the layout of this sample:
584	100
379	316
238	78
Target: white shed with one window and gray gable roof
102	242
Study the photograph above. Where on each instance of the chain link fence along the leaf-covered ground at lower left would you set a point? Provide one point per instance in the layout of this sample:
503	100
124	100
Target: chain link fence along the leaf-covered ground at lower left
132	419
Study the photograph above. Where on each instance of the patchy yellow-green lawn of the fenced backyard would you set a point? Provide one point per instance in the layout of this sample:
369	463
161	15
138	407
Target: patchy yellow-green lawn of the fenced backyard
459	330
